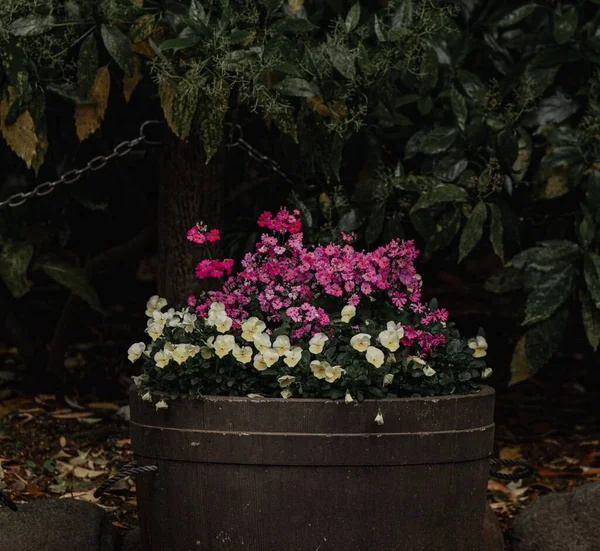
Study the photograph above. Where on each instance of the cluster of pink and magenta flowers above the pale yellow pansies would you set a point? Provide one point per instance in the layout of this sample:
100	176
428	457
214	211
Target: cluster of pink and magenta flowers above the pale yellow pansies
284	278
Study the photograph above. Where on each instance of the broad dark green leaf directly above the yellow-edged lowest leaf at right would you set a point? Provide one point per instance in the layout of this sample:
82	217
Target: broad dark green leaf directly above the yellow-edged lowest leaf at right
549	295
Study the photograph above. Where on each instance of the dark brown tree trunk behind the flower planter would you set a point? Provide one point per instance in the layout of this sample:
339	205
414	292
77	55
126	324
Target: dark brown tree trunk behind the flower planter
191	191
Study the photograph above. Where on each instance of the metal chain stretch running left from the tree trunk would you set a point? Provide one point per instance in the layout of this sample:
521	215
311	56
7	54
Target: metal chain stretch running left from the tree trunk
72	176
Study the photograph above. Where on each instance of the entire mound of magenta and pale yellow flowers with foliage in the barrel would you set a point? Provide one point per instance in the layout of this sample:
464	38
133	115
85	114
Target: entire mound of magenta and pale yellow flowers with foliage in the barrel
325	321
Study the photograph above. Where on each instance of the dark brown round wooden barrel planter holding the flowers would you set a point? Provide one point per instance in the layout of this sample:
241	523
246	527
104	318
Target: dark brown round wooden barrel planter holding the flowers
306	475
